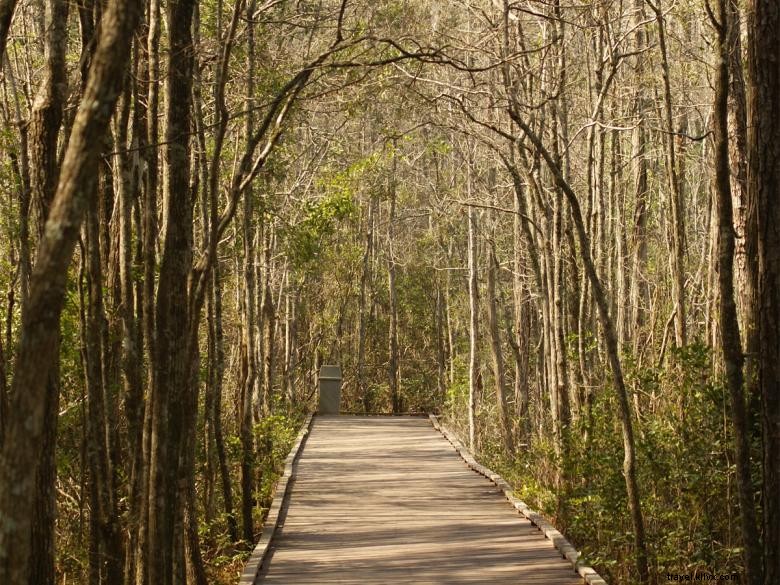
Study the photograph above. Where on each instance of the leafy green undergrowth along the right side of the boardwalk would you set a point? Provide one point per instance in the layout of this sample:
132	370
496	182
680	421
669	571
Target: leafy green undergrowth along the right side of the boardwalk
685	474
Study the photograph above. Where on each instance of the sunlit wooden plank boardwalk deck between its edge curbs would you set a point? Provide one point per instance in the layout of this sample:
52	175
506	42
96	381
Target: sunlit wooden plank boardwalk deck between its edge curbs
385	500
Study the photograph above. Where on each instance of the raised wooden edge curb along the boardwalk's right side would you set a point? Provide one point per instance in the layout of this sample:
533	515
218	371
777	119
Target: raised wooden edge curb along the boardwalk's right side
564	547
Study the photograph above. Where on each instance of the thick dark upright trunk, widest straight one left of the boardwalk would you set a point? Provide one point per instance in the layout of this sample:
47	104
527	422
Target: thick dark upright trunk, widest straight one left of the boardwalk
172	354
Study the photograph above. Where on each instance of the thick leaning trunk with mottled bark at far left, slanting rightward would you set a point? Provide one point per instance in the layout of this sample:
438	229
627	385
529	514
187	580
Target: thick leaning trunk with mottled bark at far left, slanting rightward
40	327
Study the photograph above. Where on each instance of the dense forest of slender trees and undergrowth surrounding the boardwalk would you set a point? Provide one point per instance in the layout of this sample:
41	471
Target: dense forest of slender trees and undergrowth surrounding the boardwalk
555	222
